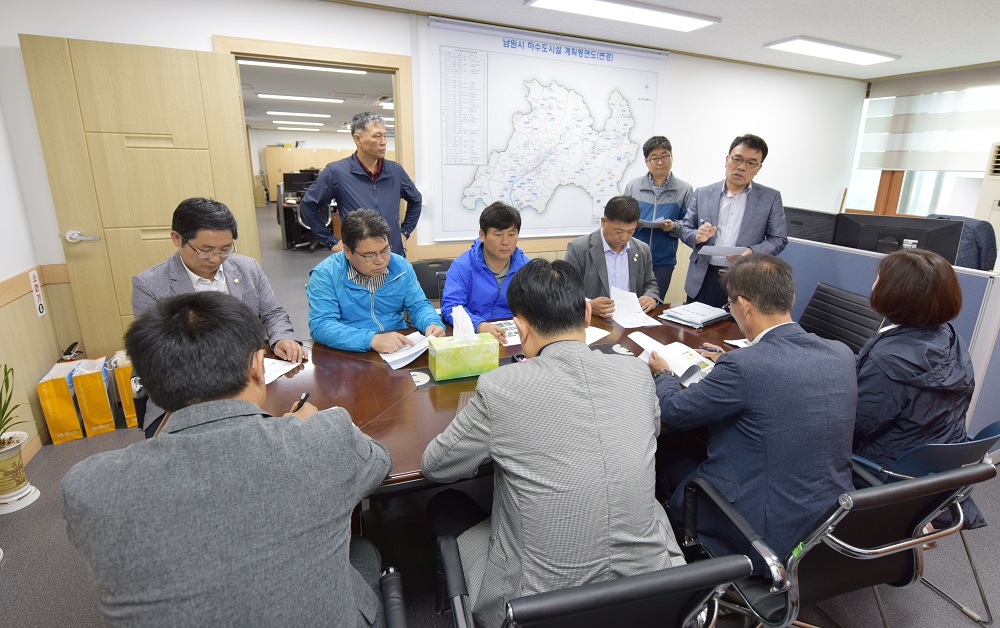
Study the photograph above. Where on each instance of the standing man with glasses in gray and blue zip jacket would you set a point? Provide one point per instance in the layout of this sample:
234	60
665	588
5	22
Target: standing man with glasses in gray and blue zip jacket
662	197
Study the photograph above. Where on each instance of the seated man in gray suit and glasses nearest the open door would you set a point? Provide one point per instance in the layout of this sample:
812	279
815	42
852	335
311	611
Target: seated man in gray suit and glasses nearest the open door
204	232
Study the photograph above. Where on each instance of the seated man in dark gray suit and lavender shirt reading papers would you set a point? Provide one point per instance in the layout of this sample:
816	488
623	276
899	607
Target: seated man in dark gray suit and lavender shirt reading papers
610	257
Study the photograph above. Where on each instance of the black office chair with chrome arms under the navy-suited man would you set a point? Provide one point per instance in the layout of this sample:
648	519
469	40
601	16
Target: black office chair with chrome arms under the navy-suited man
870	536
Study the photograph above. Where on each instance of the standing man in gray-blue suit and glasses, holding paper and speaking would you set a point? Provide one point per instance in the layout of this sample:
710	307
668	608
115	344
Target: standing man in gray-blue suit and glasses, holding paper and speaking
734	212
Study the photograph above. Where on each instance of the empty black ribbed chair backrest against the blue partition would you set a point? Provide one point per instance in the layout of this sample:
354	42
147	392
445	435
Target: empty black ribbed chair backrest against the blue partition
837	314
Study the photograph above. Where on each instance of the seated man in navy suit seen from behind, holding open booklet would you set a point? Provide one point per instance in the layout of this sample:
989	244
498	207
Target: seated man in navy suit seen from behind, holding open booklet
779	416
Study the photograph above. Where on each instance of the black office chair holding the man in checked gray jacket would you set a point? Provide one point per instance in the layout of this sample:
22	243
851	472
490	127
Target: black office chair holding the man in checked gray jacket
669	597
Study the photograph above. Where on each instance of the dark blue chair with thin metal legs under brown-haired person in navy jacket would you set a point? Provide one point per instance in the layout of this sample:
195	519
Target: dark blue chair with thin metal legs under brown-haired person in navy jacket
924	460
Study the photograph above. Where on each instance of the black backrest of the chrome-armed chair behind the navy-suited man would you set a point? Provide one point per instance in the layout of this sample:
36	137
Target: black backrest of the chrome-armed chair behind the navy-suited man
875	517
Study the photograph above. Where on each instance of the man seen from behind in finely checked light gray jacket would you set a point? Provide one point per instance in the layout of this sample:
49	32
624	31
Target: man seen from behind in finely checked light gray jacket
559	519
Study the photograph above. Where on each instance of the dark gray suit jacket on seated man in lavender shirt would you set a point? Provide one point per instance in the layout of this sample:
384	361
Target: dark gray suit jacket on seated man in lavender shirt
586	254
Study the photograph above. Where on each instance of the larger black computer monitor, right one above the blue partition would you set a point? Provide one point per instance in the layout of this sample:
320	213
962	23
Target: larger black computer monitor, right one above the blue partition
885	234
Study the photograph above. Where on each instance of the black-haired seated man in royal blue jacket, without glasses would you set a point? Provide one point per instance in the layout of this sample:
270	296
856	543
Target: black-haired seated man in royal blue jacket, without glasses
478	279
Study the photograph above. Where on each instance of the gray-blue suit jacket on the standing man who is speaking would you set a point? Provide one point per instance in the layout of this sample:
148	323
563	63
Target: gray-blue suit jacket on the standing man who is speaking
763	228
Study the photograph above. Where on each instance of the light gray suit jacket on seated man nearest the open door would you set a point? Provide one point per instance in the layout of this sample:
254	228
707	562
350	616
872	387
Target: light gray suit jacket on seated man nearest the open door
245	280
